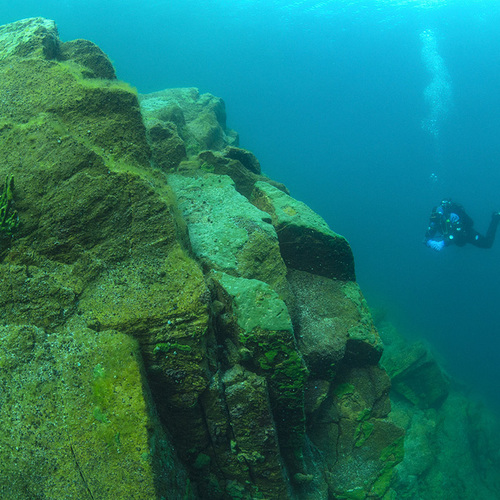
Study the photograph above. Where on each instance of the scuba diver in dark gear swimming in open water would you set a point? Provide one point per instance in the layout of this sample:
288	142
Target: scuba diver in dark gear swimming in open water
449	224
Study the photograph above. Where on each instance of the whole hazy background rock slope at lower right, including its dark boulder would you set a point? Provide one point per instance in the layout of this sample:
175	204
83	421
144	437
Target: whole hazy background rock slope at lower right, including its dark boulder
451	441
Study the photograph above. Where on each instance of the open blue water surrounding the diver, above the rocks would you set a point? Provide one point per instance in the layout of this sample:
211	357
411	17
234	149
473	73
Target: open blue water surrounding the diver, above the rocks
353	105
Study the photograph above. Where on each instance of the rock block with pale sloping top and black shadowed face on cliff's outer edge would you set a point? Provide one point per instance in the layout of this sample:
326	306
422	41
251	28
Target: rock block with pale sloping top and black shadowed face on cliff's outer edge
306	241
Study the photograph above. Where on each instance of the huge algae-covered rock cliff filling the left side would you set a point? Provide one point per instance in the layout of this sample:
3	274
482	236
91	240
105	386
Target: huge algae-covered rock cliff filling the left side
170	334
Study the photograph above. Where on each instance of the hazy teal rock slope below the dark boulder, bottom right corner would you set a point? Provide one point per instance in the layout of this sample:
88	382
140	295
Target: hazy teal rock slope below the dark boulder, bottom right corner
450	452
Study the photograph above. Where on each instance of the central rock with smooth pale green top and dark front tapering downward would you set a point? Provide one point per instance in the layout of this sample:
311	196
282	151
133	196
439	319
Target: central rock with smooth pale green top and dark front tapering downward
257	323
